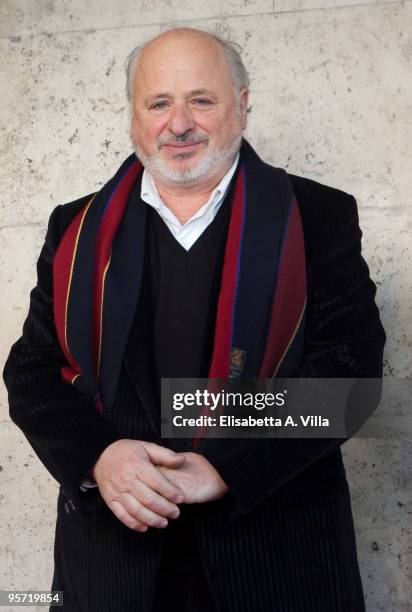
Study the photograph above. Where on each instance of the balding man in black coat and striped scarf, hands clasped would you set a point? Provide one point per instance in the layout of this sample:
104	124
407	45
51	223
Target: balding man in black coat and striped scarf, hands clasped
205	262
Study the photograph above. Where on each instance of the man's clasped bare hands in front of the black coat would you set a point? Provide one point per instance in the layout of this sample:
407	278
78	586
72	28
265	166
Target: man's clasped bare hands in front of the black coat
142	482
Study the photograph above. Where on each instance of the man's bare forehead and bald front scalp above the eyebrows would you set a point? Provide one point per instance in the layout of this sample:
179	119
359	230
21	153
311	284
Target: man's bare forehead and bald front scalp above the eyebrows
189	63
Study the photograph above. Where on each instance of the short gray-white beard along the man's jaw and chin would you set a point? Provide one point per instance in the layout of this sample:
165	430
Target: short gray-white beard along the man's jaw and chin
212	160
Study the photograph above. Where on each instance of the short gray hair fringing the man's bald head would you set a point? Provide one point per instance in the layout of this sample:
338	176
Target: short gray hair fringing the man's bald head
238	71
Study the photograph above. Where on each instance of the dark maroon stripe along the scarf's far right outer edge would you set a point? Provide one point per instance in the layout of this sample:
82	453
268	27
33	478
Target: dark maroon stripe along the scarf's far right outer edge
290	297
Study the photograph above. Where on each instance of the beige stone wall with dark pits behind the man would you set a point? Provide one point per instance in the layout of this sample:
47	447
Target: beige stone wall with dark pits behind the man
330	81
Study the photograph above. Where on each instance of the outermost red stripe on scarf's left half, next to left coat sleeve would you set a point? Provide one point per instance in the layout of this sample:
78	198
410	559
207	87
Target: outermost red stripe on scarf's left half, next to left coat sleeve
62	277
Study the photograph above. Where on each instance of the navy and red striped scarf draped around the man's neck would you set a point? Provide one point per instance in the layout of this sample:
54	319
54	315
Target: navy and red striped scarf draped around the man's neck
260	316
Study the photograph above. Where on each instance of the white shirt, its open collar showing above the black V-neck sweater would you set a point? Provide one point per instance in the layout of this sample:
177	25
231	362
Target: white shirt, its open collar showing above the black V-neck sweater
186	234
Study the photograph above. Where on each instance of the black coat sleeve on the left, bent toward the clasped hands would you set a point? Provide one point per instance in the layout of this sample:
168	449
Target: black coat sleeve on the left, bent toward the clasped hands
61	424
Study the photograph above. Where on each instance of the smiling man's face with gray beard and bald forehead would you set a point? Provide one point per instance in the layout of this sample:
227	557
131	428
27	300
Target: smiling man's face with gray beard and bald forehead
187	116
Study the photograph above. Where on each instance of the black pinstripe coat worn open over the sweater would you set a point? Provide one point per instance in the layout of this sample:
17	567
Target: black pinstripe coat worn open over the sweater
282	539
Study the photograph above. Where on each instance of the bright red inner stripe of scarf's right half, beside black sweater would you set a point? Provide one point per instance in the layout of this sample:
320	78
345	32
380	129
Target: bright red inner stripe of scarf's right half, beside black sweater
219	367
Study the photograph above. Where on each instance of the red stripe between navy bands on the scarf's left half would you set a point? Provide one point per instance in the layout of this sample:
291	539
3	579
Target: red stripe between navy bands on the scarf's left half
107	230
